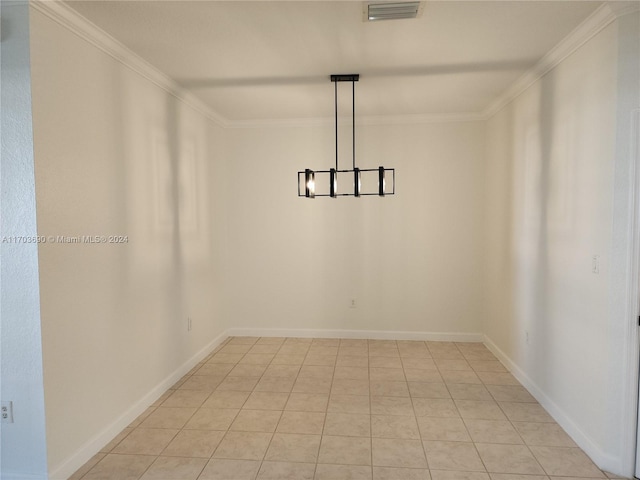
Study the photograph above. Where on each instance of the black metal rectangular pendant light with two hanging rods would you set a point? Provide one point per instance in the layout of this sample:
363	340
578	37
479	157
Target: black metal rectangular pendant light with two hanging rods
308	175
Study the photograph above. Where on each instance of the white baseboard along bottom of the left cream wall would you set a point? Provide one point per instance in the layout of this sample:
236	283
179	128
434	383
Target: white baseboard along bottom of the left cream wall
93	446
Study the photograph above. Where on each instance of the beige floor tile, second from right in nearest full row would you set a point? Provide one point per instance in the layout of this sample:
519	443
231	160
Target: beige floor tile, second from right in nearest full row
508	459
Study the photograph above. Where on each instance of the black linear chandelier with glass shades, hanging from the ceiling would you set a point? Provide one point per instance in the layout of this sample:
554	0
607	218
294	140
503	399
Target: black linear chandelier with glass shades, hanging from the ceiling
378	176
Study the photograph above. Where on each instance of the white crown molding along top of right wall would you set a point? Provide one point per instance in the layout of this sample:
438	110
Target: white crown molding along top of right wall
591	26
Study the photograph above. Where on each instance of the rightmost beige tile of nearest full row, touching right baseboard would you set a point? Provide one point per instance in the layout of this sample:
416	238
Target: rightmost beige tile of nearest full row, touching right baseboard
566	462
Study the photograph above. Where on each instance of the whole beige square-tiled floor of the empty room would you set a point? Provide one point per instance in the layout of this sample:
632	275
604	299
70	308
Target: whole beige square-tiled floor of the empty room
331	409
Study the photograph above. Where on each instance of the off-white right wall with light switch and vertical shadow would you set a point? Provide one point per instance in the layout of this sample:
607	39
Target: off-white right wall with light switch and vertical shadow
551	159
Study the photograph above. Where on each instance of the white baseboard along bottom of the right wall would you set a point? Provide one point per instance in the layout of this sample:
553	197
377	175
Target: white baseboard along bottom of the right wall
601	459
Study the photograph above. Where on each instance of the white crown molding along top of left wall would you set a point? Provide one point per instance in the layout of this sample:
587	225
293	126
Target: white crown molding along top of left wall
70	19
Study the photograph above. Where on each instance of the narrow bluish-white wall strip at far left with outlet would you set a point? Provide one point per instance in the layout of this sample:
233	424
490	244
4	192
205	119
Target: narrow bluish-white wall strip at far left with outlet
23	452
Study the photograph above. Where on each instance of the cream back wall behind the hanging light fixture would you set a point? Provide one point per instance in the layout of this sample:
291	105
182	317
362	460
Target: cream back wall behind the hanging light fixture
412	261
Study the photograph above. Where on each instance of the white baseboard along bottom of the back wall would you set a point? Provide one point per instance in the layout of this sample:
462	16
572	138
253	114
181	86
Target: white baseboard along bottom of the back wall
363	334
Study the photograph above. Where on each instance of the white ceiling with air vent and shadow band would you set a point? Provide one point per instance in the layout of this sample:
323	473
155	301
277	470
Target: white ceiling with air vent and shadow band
265	60
